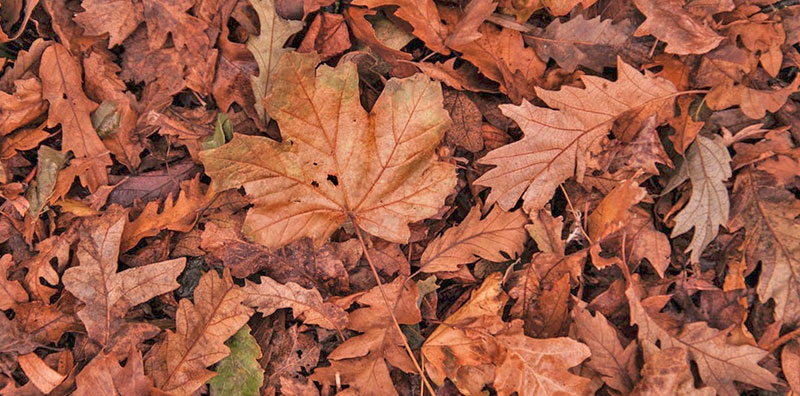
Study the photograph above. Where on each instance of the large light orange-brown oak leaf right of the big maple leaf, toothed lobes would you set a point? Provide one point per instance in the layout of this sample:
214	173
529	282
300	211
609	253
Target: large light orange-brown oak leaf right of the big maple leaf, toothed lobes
557	142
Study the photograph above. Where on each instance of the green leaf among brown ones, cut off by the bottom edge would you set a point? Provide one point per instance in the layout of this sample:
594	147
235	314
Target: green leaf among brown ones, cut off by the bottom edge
239	373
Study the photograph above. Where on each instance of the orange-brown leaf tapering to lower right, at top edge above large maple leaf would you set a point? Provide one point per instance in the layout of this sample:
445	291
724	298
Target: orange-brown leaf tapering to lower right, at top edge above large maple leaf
423	17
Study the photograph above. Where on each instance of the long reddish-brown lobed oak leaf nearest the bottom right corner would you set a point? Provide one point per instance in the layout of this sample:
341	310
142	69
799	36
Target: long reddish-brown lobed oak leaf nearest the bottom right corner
719	362
